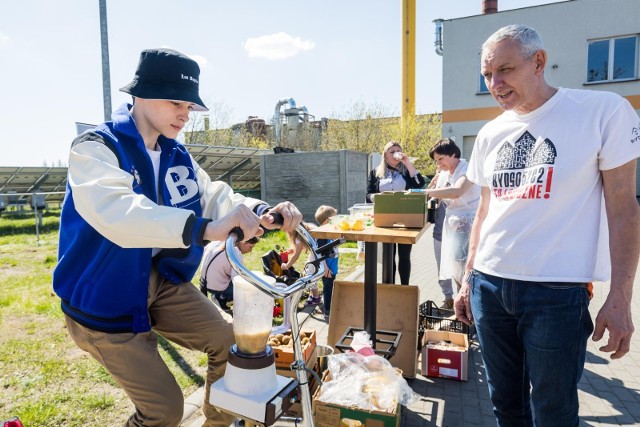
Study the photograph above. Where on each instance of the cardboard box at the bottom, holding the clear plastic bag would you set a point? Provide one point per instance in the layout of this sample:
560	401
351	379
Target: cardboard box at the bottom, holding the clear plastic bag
330	414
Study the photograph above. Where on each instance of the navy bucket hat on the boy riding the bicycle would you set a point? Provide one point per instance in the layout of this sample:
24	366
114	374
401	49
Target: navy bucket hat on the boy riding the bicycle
166	74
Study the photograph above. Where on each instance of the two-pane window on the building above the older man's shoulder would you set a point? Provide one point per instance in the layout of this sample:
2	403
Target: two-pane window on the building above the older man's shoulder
612	59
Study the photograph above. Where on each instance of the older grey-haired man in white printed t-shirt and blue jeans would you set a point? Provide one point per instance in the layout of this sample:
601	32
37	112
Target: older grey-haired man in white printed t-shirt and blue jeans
557	212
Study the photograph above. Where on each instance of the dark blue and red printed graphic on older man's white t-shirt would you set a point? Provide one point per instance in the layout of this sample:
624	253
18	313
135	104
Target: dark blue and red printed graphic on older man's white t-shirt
524	169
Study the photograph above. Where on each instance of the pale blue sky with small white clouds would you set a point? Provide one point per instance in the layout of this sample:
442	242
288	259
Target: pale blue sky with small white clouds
328	55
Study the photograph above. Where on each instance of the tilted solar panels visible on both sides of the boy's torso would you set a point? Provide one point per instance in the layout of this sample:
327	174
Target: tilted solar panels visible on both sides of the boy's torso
239	167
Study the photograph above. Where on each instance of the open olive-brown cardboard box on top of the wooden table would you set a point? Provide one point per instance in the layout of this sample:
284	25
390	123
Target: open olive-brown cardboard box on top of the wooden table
400	209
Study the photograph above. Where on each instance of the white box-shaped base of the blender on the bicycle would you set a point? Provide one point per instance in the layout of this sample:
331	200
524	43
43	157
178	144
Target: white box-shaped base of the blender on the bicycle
263	408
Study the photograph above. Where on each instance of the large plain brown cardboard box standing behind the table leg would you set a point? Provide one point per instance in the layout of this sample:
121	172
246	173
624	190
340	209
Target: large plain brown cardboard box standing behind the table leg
396	310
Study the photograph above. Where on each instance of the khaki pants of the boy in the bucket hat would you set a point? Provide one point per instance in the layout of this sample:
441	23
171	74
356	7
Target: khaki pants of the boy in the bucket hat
181	314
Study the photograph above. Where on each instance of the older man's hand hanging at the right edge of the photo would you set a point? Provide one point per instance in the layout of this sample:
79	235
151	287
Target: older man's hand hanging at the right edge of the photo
615	315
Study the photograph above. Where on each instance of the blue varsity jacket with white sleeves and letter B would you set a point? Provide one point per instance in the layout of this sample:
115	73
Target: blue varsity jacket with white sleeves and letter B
113	216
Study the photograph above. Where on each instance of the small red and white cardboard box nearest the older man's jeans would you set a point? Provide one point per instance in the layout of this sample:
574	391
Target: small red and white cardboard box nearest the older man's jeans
439	361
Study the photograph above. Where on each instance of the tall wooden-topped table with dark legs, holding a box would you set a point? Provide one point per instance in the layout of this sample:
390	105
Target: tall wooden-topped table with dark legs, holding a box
371	236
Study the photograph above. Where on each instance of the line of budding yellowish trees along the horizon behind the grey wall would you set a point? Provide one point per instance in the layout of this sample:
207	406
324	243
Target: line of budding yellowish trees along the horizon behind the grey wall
359	127
